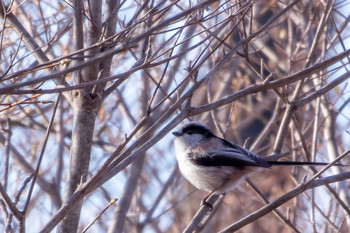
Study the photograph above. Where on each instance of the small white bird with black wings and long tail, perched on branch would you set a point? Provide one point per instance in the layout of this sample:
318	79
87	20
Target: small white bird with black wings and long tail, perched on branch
215	165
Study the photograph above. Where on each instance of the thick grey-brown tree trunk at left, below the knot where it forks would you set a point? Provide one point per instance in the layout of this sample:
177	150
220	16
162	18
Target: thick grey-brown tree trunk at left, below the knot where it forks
85	109
